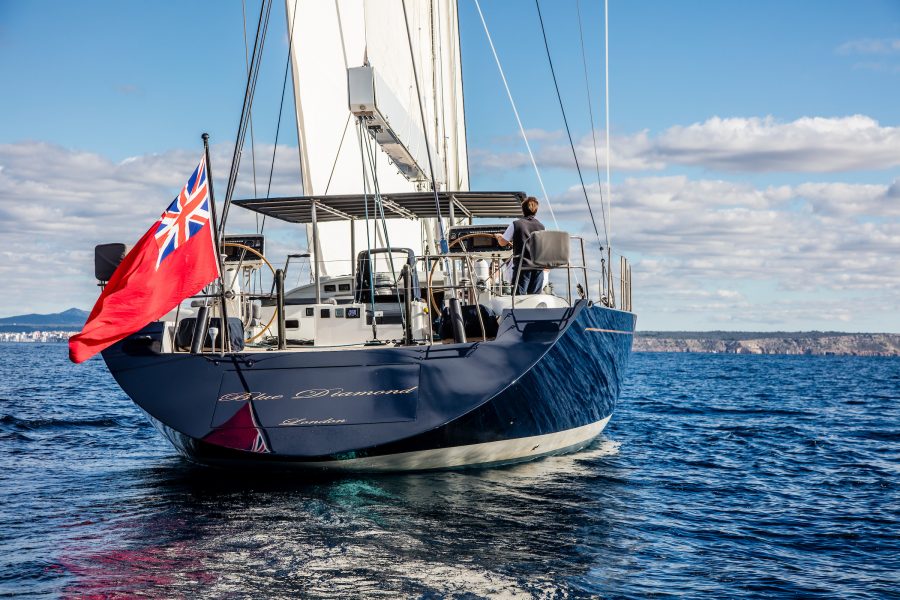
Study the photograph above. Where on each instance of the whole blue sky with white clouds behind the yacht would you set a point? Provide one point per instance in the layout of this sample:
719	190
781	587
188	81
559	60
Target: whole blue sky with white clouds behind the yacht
755	145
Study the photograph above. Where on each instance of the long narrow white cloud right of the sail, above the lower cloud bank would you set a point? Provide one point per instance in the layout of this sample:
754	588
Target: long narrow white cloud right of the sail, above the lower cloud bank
807	144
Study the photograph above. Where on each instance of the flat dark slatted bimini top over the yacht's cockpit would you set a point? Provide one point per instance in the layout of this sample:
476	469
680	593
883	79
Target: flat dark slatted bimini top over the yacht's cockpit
415	205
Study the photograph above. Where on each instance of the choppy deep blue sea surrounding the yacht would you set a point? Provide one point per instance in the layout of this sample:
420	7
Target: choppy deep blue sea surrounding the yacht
719	476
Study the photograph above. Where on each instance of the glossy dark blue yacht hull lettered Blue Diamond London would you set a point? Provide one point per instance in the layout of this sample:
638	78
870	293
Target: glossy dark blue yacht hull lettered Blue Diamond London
551	376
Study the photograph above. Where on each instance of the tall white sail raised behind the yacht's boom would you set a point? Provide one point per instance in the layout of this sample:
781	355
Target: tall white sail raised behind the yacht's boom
330	37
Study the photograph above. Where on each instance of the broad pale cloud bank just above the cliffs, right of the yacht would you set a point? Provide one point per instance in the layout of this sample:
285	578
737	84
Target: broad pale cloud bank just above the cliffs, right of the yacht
699	247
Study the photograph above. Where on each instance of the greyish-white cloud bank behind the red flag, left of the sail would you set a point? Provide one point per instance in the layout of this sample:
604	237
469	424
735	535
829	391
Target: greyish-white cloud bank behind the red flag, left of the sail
57	204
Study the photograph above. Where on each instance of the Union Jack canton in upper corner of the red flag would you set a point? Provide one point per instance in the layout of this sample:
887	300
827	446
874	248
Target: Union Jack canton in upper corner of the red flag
186	216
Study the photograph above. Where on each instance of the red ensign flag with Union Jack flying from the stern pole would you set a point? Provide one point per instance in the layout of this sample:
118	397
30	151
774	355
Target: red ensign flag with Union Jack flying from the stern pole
175	259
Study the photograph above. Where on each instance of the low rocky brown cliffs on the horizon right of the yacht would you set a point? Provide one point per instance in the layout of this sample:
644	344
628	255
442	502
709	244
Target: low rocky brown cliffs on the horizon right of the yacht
813	343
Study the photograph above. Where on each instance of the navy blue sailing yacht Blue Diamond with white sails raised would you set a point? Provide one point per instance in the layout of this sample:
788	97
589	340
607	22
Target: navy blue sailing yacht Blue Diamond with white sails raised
409	348
